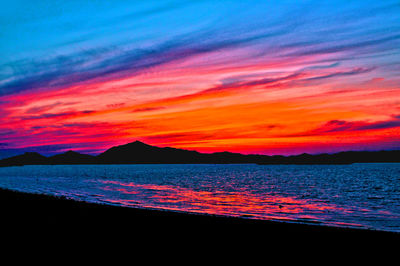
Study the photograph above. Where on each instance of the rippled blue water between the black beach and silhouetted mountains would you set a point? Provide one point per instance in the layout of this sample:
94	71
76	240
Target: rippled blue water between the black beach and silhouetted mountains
357	196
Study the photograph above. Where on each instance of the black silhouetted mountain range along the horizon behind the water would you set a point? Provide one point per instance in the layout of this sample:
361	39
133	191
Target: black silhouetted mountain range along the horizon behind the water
140	153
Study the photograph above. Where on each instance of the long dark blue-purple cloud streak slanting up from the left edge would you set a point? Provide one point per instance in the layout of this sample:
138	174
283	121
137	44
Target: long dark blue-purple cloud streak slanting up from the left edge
115	62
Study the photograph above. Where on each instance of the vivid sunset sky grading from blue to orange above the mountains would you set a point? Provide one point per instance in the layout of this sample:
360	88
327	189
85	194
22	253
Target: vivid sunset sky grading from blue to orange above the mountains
255	77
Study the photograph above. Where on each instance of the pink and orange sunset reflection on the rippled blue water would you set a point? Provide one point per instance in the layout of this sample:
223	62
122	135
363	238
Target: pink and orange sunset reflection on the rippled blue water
217	202
